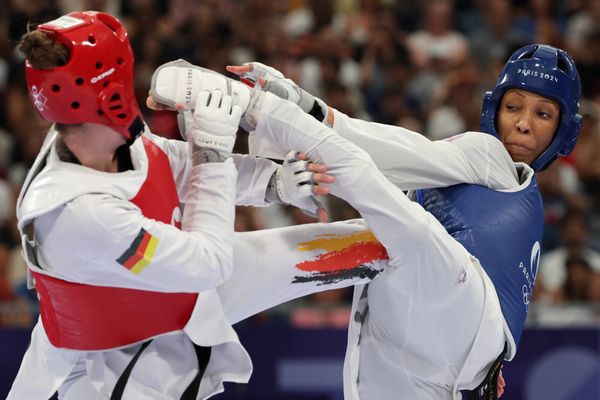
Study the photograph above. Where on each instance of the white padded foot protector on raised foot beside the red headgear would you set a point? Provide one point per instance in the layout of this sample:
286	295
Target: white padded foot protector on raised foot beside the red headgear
179	82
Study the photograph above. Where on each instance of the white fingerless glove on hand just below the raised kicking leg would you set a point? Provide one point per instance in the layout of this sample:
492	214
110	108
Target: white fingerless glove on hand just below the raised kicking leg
294	183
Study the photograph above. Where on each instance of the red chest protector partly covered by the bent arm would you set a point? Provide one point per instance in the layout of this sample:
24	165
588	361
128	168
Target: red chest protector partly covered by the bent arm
86	317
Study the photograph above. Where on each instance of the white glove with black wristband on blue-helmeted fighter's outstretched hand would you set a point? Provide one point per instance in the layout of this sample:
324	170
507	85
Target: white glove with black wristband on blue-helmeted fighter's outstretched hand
275	82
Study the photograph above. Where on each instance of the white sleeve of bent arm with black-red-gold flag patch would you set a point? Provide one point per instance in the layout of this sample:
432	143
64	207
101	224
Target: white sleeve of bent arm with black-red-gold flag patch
91	238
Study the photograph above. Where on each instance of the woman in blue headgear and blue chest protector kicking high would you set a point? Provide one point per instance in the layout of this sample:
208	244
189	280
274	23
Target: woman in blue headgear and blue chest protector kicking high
462	264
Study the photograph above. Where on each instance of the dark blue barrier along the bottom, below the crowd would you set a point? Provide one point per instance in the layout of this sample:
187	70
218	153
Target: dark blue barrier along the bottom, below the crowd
294	364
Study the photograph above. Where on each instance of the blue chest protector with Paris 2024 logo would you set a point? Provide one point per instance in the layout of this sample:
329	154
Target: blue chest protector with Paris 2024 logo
503	230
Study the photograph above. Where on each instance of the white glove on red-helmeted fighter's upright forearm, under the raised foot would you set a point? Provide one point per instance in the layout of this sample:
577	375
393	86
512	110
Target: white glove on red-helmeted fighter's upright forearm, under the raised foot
211	127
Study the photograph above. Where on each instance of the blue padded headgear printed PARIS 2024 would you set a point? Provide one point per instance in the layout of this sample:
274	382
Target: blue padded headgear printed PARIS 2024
549	72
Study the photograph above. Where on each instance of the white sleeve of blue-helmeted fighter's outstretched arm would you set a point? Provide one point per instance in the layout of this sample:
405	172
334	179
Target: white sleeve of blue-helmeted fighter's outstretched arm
412	161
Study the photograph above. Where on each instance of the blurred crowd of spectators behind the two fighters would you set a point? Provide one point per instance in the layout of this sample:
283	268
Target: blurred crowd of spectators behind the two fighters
422	65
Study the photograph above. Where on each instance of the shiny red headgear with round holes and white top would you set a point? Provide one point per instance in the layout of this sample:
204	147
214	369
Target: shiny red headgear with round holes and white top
96	85
